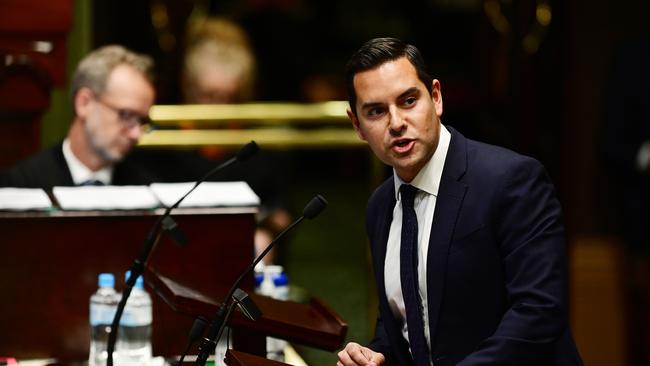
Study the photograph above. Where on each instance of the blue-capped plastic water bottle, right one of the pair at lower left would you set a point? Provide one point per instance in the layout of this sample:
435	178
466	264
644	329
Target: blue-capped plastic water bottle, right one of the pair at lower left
134	335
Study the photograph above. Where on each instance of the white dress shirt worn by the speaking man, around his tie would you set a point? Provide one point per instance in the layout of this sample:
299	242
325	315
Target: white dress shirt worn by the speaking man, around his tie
427	181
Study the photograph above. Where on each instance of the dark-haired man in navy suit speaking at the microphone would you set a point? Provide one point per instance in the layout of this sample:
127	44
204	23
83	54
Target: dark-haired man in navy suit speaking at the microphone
467	238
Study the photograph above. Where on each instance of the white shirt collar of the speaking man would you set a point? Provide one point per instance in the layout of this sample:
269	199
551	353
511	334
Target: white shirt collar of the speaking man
428	178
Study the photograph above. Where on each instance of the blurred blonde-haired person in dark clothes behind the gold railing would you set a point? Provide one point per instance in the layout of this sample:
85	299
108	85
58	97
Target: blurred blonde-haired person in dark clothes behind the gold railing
219	68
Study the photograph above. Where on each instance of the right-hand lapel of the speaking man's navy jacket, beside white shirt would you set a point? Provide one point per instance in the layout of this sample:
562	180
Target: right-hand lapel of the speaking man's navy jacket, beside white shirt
448	204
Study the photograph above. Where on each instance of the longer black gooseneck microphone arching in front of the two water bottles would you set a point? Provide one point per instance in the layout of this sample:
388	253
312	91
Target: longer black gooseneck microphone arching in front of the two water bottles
168	224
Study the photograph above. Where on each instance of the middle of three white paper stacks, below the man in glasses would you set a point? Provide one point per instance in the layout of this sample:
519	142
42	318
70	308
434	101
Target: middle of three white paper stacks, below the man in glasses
105	198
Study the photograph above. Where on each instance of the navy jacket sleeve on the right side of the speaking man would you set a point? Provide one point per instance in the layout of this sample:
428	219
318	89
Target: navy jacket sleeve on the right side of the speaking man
528	229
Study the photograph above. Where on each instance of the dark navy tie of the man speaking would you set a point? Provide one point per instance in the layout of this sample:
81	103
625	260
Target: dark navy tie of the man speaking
409	277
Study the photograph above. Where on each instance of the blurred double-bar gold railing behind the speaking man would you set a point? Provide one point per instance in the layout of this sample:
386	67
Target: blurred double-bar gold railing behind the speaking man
272	125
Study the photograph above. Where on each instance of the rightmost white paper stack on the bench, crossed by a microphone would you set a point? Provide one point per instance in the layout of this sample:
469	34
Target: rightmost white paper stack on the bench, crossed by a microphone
207	194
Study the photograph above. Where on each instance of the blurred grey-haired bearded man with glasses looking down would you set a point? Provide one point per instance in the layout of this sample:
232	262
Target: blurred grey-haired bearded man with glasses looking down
112	92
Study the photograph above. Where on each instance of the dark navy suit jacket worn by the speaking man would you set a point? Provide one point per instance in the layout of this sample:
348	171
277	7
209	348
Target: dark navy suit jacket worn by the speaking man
496	266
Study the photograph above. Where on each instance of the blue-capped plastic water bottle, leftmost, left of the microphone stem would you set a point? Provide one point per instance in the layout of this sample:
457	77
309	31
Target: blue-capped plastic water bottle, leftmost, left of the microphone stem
103	304
